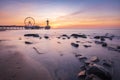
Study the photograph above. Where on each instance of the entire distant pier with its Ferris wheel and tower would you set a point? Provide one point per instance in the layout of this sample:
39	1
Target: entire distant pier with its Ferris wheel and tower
29	24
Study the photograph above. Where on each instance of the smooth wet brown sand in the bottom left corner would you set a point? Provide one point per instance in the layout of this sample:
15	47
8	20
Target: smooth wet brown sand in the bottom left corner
14	65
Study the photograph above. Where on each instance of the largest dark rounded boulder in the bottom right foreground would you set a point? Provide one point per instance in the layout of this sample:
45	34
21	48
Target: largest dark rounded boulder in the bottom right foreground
99	71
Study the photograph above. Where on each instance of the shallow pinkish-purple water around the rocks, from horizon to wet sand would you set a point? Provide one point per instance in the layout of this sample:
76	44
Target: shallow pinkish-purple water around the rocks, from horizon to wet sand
57	55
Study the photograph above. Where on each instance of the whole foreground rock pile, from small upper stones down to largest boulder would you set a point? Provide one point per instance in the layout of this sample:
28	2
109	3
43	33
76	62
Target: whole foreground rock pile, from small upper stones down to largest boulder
91	70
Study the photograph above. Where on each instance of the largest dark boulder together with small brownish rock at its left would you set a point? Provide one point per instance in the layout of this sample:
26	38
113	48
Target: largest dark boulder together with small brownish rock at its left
94	72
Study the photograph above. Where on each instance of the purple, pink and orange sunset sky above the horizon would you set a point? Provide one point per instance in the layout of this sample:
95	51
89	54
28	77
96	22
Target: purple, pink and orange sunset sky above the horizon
62	13
